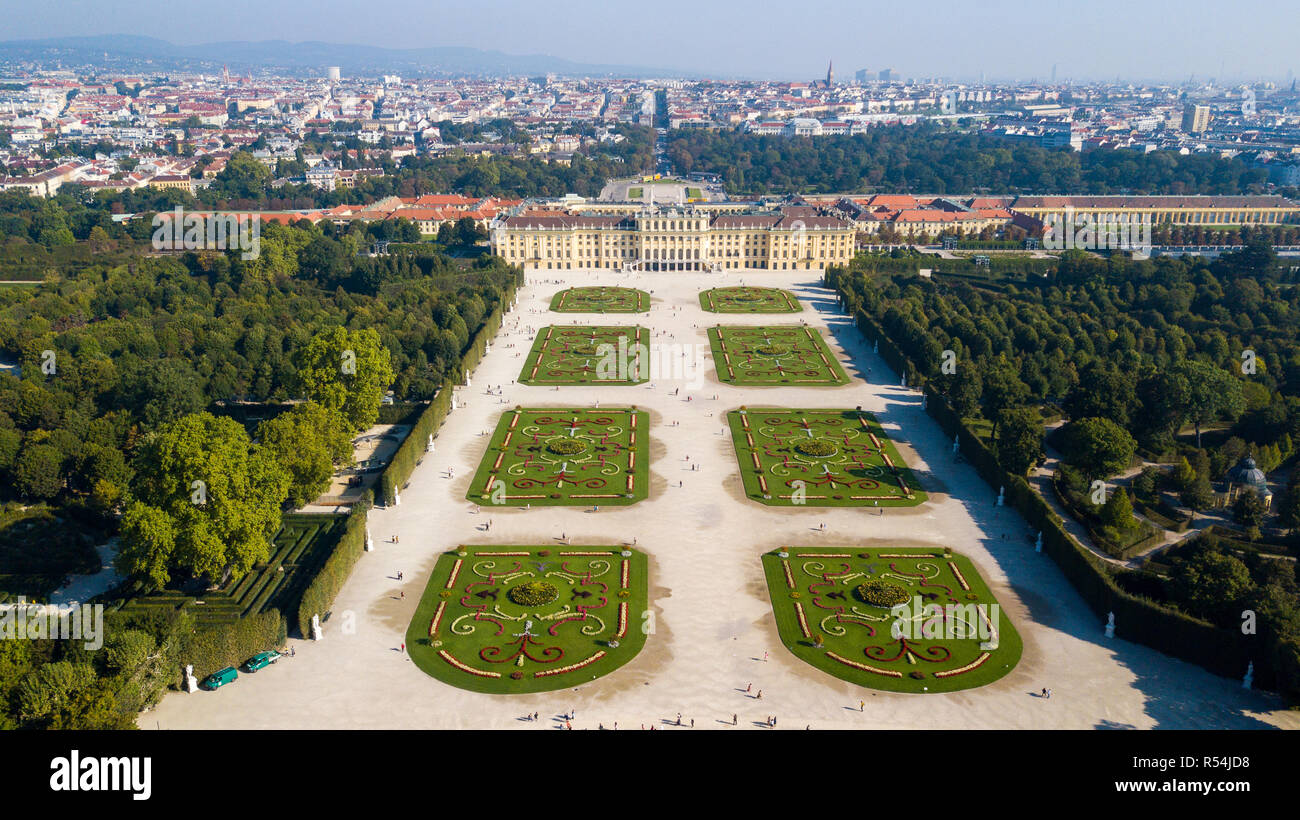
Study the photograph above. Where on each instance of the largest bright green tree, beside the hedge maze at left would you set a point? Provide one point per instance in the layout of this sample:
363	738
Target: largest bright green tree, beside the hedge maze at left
205	502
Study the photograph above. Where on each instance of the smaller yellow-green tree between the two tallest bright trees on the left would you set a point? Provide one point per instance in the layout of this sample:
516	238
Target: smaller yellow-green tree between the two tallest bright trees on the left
307	441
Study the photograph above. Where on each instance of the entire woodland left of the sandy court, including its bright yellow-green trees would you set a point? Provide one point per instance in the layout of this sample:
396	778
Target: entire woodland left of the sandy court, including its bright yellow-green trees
124	361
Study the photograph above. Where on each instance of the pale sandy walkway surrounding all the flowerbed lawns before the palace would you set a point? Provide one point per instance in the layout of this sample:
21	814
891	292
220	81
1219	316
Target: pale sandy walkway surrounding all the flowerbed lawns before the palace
704	540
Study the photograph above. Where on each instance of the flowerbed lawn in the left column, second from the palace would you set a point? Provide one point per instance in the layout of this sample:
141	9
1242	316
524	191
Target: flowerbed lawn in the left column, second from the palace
588	355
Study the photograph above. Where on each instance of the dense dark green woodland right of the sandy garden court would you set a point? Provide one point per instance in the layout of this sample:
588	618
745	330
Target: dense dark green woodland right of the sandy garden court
1143	358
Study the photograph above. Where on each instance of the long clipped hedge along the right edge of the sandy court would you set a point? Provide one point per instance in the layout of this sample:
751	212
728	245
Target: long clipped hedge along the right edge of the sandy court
1138	619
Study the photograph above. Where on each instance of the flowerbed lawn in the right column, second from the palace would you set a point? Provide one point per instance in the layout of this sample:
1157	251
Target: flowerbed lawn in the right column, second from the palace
774	355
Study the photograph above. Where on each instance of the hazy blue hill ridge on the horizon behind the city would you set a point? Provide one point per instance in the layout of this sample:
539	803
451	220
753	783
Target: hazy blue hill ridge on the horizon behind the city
125	51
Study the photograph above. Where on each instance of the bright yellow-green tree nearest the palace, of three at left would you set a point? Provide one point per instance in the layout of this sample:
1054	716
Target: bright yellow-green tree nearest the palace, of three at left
348	372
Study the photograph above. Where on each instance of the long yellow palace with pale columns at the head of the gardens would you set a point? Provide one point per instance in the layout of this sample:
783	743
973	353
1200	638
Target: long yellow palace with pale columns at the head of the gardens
674	240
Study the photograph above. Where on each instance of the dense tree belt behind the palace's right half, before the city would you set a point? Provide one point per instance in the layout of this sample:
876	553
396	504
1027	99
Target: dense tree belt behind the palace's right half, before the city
929	159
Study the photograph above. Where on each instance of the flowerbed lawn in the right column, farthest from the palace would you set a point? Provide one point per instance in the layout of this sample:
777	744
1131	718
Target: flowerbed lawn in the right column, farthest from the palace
951	634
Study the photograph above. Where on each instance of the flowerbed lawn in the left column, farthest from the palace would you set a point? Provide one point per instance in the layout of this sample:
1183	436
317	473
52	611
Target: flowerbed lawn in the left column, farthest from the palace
525	619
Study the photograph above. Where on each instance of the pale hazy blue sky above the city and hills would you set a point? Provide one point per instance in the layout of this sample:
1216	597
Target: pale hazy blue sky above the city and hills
1099	40
